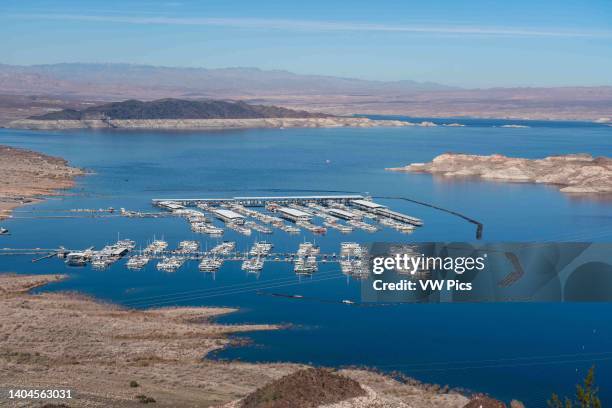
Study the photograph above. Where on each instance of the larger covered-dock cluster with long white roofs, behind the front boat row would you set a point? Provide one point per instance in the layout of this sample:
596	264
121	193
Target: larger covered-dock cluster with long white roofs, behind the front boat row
342	213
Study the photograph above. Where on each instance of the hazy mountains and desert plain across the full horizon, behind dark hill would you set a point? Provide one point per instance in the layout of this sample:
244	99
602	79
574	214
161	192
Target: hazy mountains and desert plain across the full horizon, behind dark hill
79	86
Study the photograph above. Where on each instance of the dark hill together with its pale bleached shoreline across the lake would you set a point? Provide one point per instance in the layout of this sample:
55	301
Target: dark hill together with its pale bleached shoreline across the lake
191	114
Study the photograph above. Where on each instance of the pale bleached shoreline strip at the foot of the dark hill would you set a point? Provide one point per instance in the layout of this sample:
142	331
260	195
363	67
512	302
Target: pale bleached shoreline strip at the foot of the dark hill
209	124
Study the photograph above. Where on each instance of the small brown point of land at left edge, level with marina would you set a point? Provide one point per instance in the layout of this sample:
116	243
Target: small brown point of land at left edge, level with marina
28	175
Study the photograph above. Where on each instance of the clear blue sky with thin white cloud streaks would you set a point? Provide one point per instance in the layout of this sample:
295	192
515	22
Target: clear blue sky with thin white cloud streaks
470	43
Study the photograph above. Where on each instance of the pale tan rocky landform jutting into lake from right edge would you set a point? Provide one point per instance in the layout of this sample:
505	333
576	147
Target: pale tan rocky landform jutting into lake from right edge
573	173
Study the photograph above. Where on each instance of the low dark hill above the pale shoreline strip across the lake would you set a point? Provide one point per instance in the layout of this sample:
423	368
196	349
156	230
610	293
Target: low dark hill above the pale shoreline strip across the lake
176	109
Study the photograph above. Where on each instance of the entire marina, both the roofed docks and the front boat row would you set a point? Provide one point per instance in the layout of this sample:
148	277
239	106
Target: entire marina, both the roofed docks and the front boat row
243	215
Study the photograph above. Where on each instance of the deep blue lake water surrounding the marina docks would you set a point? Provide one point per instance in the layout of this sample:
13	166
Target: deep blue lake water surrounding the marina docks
523	351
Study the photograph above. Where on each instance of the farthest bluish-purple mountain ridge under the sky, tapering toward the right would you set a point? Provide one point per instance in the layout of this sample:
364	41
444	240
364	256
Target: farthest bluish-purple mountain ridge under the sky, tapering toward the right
92	80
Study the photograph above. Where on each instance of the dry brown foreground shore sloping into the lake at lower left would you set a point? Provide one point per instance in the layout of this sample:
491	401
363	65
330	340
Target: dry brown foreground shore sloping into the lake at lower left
111	356
